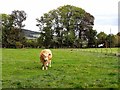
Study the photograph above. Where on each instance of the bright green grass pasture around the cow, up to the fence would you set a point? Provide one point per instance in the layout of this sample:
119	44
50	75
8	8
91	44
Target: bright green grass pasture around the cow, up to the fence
71	68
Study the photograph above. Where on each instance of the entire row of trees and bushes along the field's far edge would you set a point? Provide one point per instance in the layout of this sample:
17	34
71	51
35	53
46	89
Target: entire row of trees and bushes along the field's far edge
65	27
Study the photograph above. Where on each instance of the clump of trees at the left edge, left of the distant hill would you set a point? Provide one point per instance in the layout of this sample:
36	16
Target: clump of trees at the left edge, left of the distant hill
12	29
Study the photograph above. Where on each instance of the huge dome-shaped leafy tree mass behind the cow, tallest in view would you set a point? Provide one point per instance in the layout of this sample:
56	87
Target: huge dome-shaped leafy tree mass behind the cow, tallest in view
65	25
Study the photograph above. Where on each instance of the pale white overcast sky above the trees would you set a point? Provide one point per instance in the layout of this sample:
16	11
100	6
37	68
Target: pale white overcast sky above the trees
104	11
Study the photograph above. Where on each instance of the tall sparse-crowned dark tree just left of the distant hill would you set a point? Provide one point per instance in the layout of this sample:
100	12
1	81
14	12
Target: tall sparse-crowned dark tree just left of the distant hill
19	17
